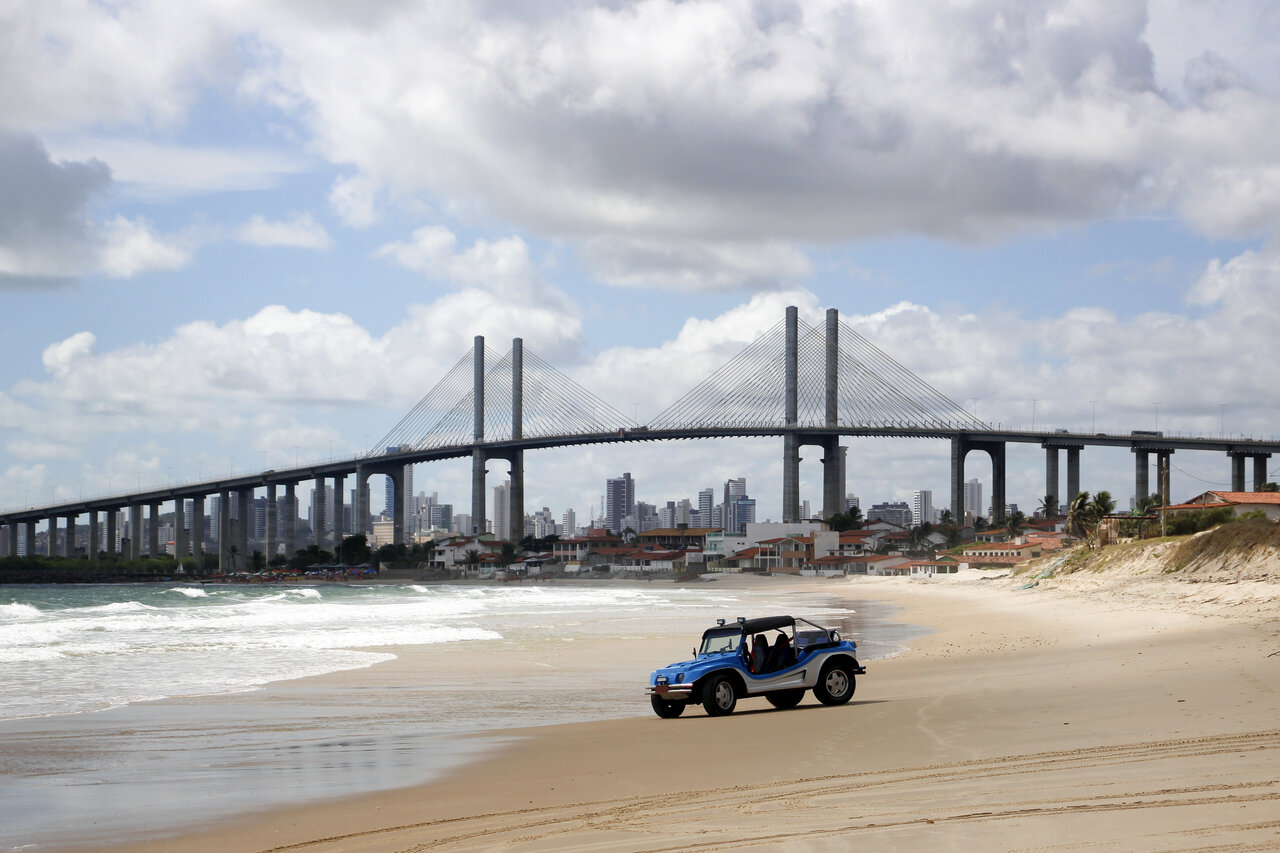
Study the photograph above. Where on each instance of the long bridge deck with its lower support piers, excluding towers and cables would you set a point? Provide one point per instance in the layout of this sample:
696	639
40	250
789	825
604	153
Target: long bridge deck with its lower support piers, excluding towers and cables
963	441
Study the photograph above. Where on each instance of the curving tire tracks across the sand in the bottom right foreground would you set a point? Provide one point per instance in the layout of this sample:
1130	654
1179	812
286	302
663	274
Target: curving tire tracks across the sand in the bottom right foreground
857	804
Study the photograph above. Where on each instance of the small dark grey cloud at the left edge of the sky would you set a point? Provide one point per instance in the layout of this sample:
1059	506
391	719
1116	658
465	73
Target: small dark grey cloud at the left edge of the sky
44	229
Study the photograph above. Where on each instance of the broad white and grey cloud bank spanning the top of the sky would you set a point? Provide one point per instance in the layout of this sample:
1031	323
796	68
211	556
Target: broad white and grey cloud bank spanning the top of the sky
694	145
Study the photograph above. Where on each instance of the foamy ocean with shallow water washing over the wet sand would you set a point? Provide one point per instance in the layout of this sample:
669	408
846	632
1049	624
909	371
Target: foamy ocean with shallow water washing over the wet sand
134	709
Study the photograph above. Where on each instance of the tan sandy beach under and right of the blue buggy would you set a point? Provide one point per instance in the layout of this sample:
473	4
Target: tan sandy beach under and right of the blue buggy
1075	715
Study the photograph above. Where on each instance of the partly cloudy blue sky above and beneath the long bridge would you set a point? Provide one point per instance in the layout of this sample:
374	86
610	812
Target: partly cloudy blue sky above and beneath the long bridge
240	235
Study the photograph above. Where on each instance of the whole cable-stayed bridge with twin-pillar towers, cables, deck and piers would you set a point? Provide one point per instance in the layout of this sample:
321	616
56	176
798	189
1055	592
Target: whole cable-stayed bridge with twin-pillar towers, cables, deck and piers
810	386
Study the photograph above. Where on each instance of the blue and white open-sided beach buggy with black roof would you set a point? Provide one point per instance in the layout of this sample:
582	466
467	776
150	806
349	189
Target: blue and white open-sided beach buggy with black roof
740	660
